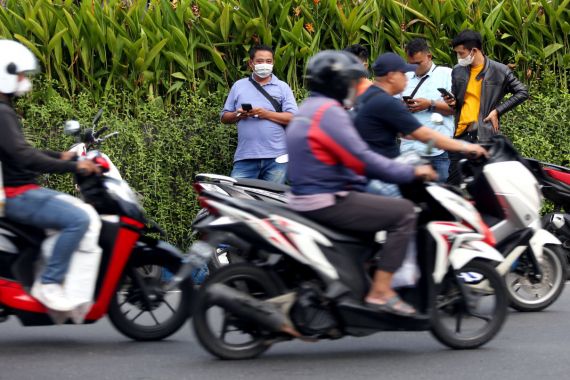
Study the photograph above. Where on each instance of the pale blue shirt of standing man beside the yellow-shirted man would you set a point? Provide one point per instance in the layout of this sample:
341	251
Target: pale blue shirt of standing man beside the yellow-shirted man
438	77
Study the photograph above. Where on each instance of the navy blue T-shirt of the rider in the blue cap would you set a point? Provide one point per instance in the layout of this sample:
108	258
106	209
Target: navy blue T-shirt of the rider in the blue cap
381	118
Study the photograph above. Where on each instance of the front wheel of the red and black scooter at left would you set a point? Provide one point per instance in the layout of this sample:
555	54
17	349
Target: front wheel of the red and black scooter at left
150	270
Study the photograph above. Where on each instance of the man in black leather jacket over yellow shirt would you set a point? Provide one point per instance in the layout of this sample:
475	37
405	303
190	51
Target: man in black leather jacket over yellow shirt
479	85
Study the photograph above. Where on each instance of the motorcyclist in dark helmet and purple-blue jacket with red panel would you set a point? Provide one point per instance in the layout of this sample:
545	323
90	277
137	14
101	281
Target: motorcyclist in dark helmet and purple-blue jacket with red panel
328	168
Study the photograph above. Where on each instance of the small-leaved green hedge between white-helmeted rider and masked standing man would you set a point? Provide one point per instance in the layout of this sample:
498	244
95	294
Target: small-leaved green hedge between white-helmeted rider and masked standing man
158	151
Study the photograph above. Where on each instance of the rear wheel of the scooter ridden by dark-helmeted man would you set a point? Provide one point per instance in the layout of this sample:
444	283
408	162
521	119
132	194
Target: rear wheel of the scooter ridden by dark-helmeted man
244	277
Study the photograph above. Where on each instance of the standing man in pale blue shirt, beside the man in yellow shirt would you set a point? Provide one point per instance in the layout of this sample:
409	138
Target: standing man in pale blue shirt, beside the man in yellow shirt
424	99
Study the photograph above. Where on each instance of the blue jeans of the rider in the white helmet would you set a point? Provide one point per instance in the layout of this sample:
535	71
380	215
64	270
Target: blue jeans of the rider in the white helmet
49	209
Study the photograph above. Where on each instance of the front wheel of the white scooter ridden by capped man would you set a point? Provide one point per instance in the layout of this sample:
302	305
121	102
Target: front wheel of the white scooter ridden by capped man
543	294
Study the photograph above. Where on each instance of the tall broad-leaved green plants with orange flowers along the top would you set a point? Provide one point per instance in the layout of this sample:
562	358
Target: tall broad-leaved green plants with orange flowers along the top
172	46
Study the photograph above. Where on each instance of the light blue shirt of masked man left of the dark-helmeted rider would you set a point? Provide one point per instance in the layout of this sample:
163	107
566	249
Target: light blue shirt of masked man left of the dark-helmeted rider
260	138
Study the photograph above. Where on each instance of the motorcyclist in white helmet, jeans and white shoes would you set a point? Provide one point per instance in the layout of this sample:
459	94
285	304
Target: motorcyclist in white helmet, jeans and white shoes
27	202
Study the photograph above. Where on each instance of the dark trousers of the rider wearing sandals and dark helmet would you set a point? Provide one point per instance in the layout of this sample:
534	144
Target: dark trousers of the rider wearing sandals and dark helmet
363	212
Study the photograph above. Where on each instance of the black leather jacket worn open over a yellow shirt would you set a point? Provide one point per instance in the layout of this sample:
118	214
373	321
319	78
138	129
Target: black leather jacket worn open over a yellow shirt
498	80
